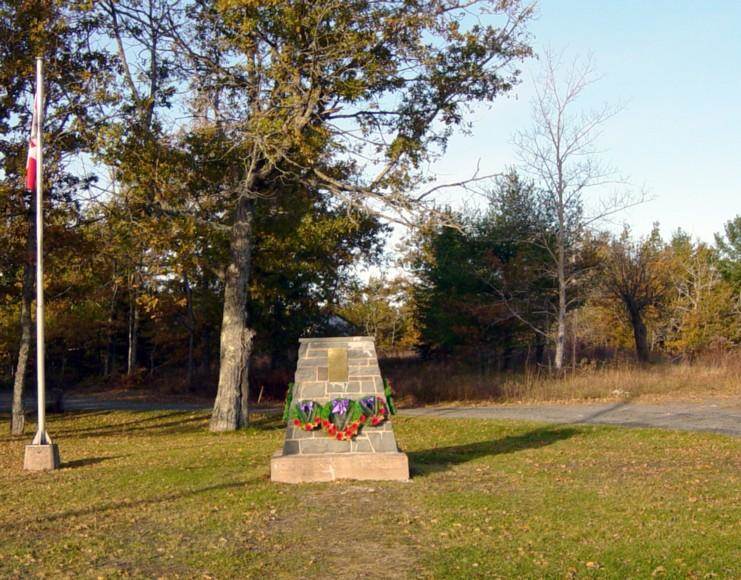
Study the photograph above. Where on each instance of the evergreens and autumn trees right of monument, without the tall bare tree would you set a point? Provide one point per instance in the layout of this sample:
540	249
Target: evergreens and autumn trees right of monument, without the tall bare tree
490	287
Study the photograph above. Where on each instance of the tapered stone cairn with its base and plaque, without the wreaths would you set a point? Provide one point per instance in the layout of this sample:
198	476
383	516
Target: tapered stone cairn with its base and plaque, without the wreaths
328	369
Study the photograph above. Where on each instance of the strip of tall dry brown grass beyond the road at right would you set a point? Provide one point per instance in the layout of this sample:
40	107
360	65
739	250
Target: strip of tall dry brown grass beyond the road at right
416	381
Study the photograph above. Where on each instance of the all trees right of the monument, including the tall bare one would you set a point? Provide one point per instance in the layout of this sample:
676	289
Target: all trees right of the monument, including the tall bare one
532	275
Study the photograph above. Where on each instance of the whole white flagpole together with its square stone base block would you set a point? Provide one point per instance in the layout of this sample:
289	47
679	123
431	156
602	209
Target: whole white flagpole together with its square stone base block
42	454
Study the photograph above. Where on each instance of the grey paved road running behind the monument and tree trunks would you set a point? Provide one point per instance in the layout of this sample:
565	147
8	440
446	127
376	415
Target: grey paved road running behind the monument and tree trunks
719	416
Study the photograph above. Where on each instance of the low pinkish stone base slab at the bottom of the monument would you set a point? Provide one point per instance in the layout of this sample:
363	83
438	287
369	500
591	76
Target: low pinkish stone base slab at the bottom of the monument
331	467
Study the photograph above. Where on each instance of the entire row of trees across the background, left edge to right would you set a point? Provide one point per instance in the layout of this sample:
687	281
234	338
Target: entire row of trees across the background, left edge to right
219	171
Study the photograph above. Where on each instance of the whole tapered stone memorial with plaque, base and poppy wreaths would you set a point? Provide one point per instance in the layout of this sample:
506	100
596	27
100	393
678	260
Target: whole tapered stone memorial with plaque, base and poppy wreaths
341	425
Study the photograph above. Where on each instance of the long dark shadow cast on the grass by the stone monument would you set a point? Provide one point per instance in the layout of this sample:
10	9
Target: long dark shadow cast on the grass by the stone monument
442	458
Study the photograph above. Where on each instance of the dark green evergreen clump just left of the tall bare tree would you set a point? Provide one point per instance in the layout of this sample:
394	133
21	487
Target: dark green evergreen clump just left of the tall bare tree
484	286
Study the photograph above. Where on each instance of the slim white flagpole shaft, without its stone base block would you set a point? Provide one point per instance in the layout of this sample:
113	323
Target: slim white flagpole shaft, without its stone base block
41	437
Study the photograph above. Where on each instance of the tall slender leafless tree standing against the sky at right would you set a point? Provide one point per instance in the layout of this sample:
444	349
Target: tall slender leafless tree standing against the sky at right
559	151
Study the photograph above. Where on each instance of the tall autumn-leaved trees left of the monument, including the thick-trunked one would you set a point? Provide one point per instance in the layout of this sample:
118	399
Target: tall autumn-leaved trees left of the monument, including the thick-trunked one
216	168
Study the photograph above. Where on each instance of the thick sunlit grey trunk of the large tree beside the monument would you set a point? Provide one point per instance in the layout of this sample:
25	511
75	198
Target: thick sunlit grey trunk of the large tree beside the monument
230	407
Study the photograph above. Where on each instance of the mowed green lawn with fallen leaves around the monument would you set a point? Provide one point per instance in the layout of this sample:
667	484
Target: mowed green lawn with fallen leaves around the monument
156	495
